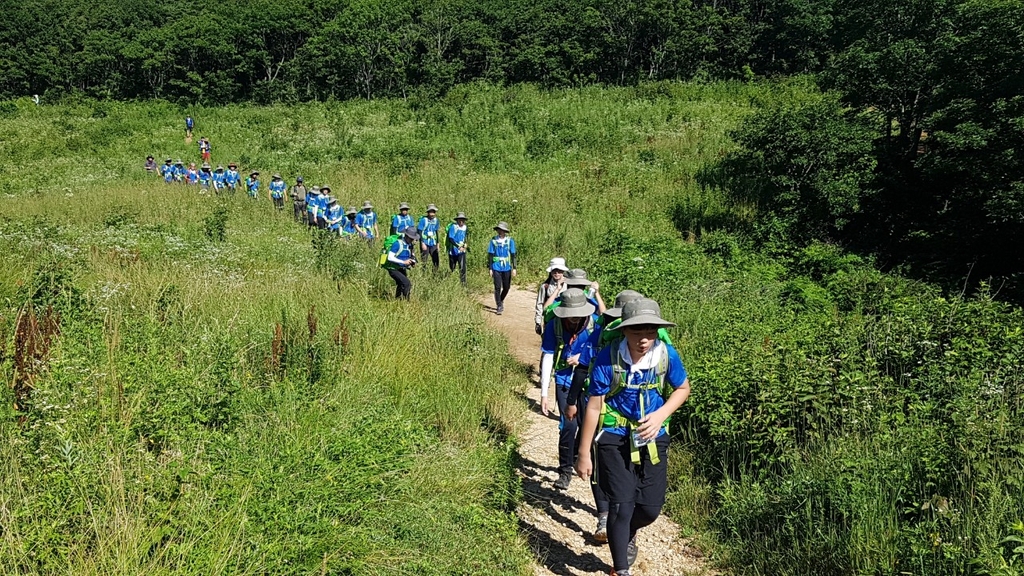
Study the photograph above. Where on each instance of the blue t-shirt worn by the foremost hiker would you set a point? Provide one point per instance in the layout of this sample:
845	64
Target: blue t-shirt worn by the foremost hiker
627	401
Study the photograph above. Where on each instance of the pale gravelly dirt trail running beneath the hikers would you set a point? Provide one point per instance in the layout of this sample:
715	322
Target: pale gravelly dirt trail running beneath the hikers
561	524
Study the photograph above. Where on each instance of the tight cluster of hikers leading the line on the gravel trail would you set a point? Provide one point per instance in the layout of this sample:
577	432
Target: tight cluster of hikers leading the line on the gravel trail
618	381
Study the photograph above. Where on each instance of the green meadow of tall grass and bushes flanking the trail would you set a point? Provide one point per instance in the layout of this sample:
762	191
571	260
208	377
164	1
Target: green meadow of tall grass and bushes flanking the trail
203	387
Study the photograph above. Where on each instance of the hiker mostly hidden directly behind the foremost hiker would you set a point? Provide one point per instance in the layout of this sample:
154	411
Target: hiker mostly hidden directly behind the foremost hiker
576	401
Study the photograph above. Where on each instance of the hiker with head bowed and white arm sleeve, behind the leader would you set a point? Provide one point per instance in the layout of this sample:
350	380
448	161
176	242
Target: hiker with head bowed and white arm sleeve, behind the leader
566	339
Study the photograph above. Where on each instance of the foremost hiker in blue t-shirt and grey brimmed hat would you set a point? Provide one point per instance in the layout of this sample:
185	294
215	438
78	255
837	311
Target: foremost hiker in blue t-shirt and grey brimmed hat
624	439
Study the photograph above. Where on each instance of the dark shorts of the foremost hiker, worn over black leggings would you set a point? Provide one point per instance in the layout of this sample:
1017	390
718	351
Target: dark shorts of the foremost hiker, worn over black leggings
623	481
